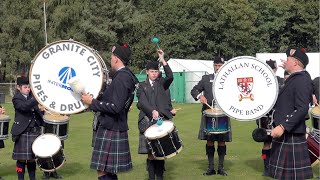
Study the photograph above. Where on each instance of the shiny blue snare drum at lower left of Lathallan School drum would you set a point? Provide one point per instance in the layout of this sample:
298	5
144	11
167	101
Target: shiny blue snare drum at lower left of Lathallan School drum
216	122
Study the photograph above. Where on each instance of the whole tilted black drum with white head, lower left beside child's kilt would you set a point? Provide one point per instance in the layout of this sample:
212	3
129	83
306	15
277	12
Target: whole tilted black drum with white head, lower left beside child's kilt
48	151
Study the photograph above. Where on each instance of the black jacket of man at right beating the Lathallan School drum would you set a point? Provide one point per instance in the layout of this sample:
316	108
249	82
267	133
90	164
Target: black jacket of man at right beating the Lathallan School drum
293	102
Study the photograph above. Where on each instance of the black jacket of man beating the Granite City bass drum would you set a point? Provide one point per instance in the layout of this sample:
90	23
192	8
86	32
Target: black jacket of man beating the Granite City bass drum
116	101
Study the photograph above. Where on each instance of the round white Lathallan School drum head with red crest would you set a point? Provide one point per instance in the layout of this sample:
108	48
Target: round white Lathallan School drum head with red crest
245	88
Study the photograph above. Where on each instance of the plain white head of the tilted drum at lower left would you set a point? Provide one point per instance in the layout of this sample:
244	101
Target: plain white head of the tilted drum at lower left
46	145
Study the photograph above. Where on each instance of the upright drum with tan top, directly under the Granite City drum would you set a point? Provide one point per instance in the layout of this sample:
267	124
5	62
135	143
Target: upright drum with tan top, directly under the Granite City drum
56	124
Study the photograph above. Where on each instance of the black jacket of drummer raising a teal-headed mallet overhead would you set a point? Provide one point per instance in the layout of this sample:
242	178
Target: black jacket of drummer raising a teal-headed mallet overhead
163	101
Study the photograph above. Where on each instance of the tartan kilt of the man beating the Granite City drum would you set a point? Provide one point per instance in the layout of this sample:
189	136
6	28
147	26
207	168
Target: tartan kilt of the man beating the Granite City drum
111	152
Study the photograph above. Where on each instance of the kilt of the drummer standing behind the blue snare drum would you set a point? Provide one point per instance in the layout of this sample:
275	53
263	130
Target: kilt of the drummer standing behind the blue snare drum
202	135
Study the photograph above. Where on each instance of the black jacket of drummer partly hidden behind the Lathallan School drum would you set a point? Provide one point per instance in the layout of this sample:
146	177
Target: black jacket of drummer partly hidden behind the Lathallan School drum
205	86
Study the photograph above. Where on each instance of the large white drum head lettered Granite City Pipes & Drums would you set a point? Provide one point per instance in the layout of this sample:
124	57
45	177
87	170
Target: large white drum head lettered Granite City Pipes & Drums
55	65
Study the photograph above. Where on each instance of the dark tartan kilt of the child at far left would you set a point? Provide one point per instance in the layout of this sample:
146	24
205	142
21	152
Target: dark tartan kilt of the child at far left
22	149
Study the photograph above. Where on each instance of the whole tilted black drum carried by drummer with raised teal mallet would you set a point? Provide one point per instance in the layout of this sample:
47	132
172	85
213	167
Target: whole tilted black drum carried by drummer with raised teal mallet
163	140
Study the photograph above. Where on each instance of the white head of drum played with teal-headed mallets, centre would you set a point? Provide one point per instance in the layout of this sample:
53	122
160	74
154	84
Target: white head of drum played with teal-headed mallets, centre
155	131
